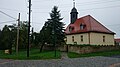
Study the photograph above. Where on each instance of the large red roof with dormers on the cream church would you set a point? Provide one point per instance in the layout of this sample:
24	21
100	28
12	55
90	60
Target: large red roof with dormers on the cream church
89	25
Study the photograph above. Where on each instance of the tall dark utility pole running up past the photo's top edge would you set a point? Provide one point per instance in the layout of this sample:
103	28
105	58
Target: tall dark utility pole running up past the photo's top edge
29	28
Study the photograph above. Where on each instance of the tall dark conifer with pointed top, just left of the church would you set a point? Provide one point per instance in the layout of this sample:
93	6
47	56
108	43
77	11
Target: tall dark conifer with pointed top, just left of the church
56	25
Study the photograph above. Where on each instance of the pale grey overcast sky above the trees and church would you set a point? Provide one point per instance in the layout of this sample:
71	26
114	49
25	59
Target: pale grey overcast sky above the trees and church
107	12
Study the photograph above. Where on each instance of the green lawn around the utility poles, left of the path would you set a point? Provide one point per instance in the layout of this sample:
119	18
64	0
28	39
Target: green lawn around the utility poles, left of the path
34	54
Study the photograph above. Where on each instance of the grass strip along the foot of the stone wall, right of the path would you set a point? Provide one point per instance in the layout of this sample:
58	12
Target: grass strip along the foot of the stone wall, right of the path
106	53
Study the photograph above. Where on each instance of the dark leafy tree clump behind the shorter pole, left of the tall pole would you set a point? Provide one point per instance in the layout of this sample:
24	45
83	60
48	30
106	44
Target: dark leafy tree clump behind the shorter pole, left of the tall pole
8	36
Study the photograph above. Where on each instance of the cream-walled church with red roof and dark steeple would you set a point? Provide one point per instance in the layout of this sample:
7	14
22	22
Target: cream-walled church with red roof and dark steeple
87	30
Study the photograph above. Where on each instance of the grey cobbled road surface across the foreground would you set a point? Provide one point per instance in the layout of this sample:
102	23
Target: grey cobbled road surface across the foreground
76	62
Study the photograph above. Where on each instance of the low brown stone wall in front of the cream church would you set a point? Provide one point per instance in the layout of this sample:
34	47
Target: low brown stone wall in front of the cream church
87	49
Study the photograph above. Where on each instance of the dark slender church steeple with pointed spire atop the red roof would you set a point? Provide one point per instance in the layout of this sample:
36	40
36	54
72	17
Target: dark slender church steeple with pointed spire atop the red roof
73	13
